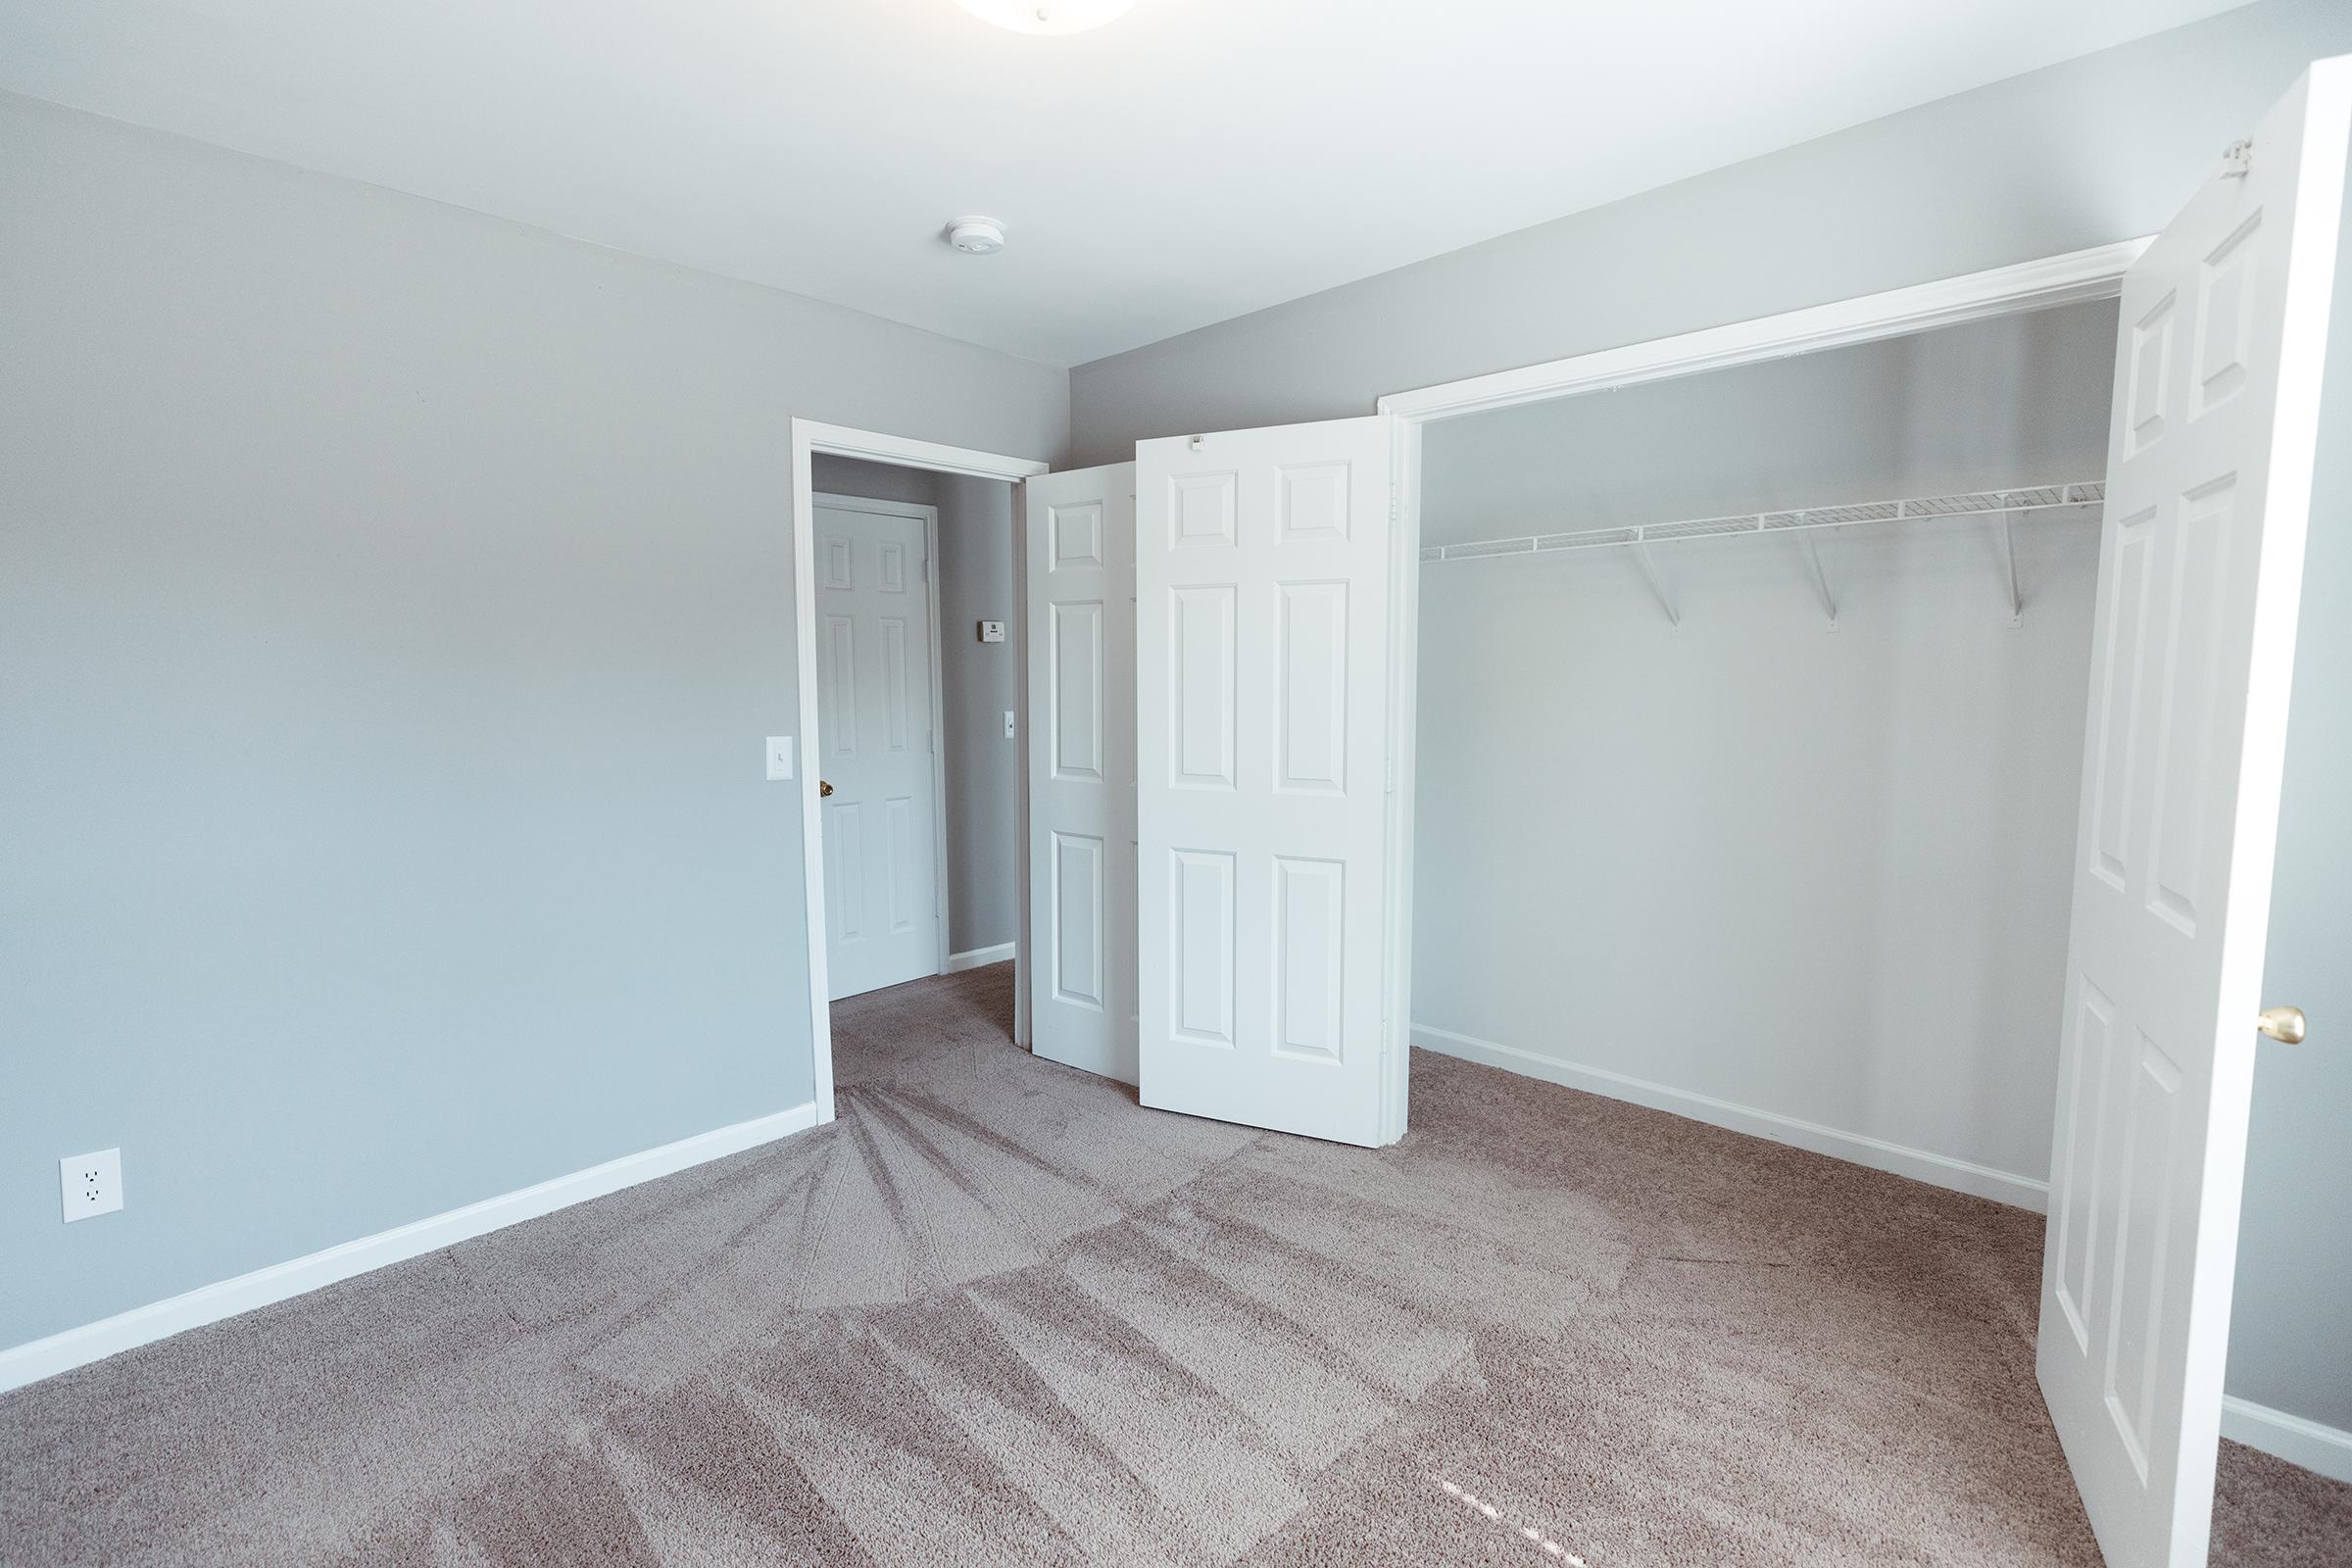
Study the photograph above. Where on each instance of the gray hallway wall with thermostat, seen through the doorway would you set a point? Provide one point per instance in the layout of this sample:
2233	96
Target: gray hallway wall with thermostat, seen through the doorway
980	678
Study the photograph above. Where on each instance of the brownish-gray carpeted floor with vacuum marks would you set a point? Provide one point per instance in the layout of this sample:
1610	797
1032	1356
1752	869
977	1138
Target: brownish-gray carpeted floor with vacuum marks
1001	1315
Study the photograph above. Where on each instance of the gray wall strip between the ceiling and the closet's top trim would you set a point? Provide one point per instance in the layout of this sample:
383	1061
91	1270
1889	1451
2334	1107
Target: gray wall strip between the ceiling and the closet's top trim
2083	154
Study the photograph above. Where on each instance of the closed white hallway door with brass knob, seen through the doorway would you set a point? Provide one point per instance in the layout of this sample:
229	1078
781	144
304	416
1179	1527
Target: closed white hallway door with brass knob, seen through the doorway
876	744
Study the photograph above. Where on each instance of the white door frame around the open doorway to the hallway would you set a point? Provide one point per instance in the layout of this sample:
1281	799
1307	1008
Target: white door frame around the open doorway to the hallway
902	453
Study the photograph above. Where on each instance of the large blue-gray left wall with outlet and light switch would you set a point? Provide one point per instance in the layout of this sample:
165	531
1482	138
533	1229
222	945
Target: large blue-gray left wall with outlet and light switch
392	608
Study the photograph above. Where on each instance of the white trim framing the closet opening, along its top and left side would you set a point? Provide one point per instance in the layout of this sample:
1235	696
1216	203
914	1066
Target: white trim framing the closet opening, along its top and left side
1866	319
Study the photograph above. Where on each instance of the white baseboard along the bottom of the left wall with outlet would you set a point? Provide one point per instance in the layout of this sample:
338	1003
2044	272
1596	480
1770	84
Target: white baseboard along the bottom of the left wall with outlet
211	1304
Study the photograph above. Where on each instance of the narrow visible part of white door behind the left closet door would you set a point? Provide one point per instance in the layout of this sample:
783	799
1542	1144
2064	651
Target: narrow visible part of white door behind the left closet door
1081	652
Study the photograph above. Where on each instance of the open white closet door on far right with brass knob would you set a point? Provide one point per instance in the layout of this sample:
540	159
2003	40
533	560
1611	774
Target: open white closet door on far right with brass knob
2210	471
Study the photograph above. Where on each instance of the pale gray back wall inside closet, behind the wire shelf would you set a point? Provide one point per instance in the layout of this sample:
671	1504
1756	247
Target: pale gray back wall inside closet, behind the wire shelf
1840	859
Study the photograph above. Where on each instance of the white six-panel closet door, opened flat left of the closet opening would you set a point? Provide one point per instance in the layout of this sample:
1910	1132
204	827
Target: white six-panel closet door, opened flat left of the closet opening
1264	612
